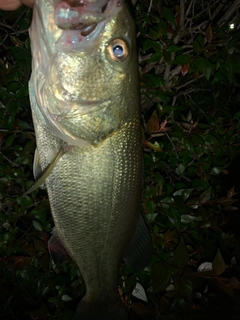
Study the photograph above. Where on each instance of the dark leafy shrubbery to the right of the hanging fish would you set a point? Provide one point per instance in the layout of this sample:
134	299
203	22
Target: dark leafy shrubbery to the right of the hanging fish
189	65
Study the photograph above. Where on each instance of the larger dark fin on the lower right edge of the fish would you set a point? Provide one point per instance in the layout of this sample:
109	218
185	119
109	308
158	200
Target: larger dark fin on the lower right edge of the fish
139	251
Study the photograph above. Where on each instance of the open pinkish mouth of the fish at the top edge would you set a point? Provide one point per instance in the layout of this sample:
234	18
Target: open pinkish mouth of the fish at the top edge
83	16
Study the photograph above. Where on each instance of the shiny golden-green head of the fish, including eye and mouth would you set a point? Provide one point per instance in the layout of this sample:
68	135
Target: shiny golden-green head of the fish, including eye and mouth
86	66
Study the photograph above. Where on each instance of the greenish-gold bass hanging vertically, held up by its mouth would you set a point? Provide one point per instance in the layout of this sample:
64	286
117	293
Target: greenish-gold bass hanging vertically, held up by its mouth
84	95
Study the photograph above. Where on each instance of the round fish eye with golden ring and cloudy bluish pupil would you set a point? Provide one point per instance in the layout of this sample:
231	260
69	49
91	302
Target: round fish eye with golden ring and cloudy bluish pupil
118	50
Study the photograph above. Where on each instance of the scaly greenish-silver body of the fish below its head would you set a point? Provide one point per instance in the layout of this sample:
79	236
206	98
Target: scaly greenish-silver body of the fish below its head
94	187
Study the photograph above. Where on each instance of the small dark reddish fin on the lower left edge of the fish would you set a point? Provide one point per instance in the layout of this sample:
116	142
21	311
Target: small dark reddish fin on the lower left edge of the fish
56	249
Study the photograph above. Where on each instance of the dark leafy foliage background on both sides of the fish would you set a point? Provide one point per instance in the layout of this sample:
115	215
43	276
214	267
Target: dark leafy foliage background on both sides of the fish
189	72
